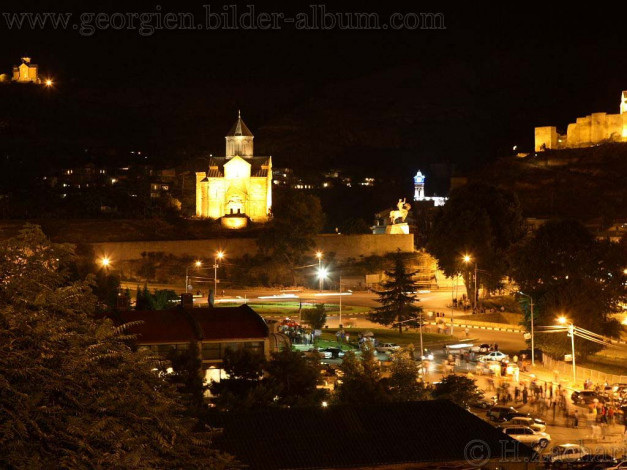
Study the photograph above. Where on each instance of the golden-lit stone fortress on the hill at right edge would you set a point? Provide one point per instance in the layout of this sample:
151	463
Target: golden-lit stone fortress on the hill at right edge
587	131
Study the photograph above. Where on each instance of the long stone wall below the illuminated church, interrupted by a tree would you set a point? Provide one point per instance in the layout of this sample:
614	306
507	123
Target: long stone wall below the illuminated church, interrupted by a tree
344	246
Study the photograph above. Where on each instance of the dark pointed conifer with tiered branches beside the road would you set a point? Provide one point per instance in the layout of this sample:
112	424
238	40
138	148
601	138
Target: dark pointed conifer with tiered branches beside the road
397	298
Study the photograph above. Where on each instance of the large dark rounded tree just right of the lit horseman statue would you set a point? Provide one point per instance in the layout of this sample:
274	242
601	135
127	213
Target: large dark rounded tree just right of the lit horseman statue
482	221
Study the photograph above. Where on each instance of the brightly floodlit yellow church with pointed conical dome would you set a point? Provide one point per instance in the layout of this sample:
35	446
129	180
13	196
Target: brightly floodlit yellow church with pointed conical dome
236	187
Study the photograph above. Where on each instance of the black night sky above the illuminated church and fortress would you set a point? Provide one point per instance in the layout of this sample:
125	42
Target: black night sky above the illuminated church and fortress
317	99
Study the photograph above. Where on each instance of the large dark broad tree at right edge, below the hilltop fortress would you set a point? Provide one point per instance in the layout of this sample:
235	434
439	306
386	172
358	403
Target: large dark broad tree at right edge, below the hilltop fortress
568	272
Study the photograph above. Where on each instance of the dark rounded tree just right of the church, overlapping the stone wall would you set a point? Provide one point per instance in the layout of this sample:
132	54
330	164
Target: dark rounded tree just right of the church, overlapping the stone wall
297	219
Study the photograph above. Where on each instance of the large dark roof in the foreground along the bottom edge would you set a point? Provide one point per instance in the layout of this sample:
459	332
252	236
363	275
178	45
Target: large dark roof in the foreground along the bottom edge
434	434
